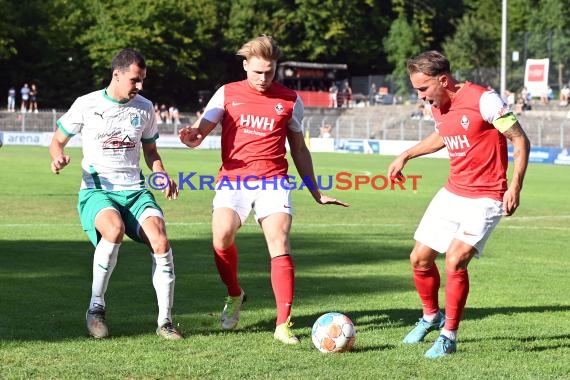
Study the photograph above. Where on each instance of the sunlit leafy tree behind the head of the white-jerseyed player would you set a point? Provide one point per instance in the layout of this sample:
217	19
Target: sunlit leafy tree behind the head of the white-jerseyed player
173	36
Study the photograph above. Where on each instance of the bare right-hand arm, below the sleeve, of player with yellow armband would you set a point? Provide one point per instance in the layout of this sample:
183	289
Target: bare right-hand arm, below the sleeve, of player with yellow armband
521	151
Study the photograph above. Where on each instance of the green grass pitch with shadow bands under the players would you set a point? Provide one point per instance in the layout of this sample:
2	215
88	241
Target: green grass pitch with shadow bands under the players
355	260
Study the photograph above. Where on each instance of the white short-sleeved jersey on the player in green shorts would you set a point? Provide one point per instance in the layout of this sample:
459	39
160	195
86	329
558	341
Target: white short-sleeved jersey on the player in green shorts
112	133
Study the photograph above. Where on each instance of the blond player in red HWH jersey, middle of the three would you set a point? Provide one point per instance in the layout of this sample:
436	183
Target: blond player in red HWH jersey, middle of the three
257	116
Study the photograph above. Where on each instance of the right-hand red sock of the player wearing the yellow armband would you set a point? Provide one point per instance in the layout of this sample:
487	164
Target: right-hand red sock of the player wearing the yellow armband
456	292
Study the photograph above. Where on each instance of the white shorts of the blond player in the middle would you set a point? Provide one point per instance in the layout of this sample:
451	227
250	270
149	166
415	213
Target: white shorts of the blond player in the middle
264	199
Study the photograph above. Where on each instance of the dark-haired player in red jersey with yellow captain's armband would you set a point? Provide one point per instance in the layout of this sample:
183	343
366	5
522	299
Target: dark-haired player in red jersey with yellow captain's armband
473	123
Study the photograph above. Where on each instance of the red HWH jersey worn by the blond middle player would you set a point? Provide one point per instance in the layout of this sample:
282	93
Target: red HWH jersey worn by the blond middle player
254	128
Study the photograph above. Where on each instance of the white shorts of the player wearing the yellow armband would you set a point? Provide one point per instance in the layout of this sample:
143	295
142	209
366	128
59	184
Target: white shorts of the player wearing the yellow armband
450	216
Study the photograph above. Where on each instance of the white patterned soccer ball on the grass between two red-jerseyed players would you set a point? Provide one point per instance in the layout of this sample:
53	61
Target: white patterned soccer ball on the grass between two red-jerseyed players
333	332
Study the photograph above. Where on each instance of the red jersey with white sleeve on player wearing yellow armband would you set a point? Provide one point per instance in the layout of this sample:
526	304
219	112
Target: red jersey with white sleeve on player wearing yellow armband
477	150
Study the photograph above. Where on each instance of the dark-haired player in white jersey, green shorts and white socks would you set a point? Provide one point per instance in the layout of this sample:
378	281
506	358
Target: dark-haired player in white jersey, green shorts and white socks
113	201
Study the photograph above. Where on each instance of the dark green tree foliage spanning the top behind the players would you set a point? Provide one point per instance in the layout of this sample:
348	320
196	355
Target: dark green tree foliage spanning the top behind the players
65	46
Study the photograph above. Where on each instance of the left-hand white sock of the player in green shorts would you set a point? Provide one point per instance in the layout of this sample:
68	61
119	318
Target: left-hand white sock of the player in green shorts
104	261
